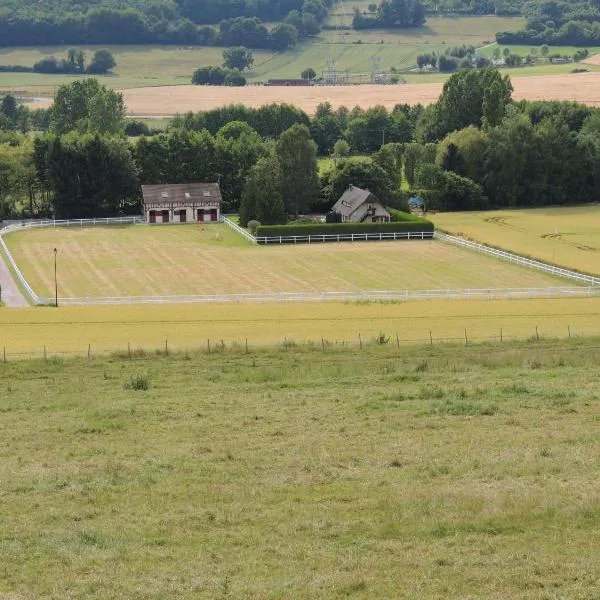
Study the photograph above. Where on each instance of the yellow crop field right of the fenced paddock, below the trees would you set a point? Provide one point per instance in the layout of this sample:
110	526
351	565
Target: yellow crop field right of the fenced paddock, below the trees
569	237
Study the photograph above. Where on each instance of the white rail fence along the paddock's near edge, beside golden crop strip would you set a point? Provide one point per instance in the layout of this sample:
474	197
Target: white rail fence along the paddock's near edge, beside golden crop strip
356	296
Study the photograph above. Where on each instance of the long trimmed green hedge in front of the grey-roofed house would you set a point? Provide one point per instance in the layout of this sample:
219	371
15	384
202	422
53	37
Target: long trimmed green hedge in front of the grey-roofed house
335	228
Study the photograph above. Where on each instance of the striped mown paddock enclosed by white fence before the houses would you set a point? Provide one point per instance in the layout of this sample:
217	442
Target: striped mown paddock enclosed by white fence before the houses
192	259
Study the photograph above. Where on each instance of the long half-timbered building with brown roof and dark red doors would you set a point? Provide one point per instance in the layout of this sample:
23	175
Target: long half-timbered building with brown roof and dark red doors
181	202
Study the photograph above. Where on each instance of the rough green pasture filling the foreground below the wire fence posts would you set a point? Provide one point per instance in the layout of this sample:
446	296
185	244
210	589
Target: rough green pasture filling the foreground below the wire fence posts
423	472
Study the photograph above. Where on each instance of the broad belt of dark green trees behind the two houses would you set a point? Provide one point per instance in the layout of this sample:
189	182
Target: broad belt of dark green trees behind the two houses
475	148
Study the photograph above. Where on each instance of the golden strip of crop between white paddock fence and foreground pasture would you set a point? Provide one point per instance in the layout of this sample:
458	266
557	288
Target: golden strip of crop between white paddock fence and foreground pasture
111	328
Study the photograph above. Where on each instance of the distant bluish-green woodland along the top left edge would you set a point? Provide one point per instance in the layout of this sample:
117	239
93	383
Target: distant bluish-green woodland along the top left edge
226	23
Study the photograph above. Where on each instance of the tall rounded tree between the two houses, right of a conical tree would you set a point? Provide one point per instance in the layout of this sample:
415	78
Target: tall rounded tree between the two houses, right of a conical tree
297	155
